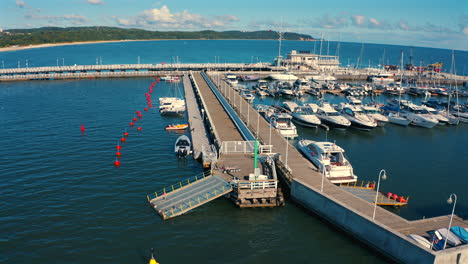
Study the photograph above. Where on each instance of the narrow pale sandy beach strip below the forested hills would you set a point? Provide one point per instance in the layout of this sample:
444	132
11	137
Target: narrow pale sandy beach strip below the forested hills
48	45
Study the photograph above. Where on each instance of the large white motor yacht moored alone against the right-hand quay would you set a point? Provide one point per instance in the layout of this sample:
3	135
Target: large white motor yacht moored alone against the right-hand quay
328	157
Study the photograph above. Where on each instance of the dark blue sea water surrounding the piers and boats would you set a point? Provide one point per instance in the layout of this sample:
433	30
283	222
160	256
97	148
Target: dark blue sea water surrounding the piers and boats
63	199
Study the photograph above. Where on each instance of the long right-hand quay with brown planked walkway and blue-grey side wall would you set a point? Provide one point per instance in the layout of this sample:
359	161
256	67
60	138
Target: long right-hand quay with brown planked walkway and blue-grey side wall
387	233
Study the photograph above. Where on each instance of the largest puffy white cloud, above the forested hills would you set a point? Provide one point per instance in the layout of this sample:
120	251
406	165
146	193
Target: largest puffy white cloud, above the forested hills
164	18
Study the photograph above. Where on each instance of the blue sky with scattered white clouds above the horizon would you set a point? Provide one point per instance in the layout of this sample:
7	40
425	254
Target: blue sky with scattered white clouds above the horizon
426	23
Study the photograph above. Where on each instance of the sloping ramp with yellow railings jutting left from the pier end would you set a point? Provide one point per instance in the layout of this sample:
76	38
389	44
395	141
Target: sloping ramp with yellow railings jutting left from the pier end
180	198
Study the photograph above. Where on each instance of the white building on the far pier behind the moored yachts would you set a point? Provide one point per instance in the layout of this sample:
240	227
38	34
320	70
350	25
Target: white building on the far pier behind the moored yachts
312	61
